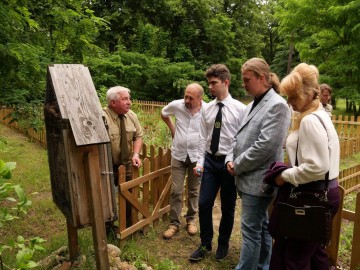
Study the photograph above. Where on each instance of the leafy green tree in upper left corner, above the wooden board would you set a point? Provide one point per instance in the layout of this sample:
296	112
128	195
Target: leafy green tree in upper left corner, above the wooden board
34	35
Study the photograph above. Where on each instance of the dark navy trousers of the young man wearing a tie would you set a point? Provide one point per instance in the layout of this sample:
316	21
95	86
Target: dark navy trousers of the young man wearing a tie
216	177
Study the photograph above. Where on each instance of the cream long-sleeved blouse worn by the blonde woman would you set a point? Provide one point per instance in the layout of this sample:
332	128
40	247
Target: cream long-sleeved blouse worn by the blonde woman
318	150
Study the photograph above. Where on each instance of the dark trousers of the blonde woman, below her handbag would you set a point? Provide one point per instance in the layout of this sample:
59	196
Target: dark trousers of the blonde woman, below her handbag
301	255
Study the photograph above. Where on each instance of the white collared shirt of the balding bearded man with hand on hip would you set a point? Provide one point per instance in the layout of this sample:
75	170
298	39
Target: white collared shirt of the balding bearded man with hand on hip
187	128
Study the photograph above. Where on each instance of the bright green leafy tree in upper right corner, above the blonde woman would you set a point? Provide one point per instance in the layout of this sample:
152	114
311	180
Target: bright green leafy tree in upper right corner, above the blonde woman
327	34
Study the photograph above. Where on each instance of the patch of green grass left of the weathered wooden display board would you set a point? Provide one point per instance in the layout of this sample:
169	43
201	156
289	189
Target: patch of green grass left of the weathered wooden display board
32	174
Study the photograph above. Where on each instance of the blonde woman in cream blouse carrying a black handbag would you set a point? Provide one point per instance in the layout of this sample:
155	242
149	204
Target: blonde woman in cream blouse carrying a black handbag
311	158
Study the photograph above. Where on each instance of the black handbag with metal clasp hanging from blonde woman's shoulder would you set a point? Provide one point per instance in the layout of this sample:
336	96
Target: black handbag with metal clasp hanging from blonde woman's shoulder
303	213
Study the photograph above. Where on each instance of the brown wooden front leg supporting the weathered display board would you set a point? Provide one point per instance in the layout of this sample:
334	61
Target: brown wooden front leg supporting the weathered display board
92	176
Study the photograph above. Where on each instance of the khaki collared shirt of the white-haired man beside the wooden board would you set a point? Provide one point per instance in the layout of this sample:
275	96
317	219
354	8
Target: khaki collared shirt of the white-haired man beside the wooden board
133	131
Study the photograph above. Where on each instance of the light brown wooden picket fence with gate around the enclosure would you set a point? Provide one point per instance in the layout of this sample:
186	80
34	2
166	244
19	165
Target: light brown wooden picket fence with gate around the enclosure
149	191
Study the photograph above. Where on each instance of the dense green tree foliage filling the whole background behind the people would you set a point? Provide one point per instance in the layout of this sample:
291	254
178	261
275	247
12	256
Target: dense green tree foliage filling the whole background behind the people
156	47
